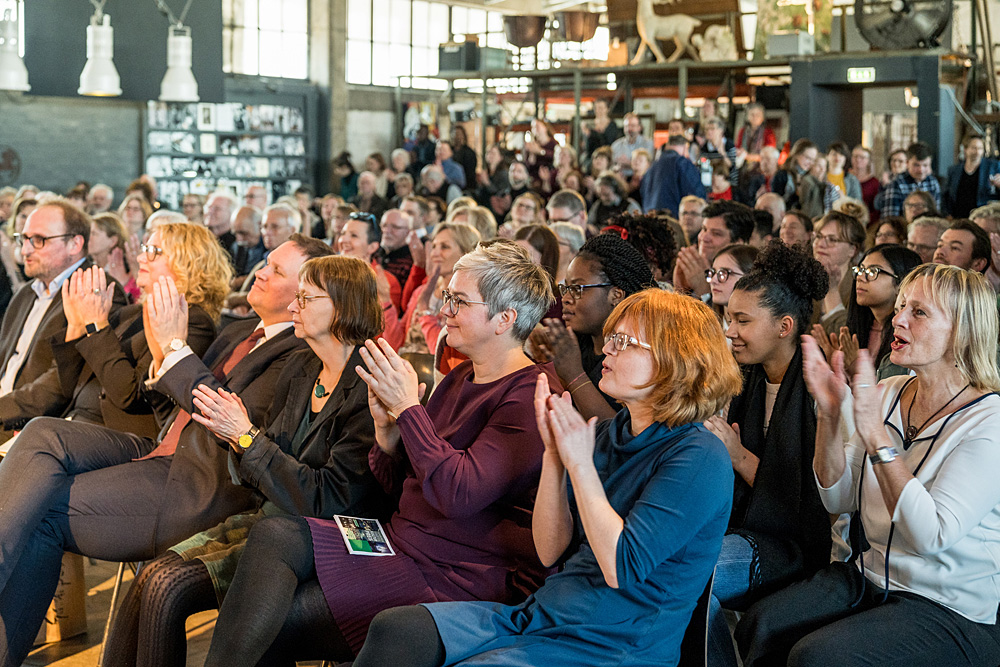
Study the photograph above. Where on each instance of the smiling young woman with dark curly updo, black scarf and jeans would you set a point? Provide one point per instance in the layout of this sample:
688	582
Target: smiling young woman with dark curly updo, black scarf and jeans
778	529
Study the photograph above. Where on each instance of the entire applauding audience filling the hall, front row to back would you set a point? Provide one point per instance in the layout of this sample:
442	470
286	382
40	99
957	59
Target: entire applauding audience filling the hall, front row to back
552	388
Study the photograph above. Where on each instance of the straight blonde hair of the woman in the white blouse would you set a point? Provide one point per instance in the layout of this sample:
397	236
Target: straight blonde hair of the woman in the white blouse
972	305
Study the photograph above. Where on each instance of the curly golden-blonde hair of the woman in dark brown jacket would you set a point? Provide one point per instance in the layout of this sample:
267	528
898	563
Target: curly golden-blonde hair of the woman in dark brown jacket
201	265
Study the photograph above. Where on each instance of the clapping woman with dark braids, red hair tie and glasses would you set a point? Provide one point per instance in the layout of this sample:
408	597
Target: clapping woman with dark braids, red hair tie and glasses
606	270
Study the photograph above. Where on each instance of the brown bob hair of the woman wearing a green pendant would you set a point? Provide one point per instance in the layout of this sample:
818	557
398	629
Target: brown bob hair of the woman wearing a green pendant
350	283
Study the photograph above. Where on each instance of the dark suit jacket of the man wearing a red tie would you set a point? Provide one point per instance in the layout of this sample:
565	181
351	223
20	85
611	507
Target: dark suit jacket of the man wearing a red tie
199	490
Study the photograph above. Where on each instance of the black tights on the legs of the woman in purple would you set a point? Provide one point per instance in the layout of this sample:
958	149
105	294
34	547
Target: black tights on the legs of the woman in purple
275	612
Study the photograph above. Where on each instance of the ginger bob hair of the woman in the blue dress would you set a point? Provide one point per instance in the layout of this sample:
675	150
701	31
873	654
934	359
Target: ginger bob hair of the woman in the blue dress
694	373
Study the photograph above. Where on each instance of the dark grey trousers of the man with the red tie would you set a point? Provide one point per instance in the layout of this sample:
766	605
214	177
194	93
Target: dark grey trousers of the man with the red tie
73	487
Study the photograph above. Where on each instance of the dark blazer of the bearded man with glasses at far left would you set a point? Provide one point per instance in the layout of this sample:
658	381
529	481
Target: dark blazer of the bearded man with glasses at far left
37	390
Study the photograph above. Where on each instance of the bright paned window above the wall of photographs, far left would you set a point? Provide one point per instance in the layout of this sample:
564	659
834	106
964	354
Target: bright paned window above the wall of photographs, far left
266	37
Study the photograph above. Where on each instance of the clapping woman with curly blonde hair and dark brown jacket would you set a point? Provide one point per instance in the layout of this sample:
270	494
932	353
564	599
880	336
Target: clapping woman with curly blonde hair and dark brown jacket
115	346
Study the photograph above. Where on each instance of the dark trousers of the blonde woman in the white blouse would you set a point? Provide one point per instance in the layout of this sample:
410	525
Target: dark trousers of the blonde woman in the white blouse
812	623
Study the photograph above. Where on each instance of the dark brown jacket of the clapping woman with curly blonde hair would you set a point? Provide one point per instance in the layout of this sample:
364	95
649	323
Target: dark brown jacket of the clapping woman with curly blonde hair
106	372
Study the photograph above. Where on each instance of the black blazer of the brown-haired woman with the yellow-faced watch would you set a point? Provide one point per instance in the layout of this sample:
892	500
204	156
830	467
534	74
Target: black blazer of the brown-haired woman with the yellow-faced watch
327	473
